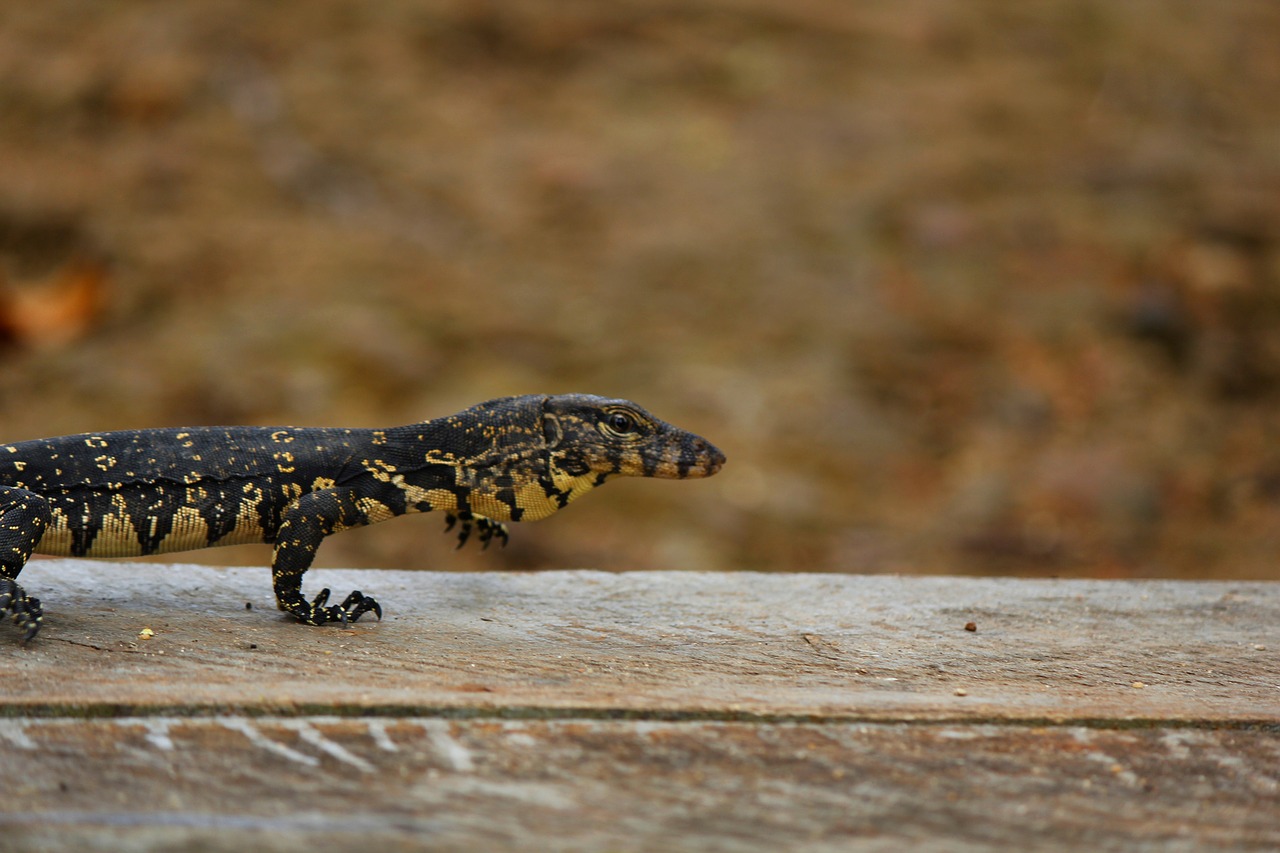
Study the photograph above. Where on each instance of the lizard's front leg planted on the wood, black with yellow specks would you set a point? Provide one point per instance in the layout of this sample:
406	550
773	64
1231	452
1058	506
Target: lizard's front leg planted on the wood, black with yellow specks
305	526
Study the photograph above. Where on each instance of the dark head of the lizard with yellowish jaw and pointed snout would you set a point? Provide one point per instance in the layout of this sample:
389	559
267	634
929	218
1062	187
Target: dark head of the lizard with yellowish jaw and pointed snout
592	439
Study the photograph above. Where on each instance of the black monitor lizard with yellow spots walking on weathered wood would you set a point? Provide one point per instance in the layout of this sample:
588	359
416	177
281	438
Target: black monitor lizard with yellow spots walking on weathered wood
156	491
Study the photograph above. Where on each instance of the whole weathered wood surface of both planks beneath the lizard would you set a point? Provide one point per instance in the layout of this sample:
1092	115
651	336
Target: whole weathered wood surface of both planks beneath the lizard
580	710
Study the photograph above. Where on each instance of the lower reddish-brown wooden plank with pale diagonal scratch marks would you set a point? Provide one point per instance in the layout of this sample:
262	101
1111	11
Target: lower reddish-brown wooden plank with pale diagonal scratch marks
391	784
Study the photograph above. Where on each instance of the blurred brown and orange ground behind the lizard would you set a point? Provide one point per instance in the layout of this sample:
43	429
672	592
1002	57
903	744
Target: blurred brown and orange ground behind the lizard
959	288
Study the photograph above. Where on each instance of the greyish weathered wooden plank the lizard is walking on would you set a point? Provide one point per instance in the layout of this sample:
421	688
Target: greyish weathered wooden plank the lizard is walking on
674	645
